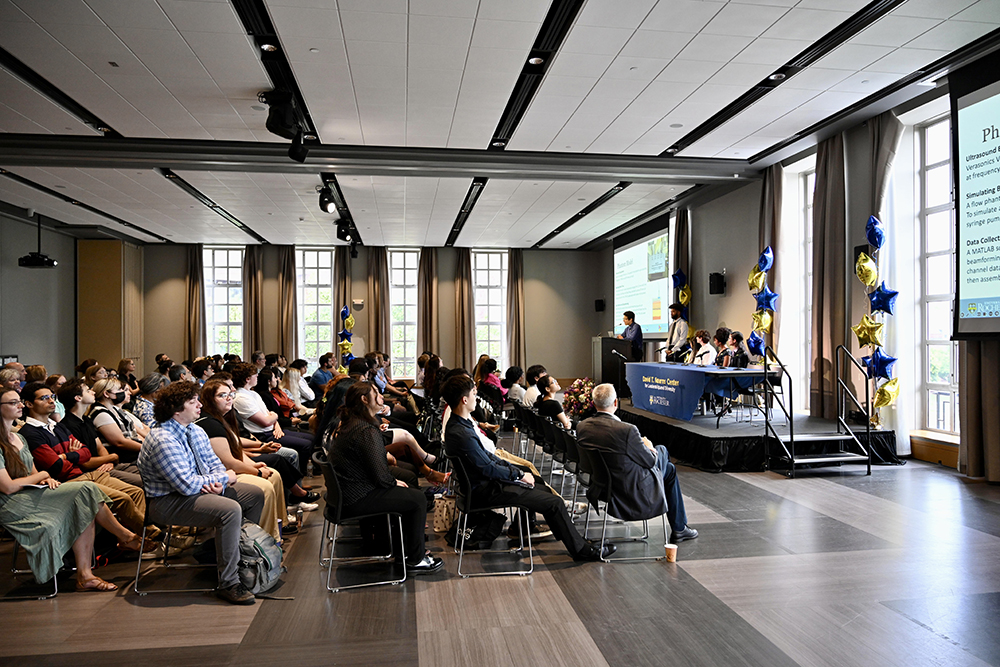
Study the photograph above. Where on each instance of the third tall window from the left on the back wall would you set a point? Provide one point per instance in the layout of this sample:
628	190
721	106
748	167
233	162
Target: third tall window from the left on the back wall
403	312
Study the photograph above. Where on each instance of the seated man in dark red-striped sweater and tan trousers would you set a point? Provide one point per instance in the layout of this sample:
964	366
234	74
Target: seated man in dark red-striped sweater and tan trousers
58	453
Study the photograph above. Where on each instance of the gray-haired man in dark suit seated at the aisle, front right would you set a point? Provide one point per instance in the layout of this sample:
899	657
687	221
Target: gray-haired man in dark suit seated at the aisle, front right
644	472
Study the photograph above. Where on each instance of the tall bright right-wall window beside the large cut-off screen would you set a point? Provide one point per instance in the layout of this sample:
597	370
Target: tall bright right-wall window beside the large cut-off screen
936	214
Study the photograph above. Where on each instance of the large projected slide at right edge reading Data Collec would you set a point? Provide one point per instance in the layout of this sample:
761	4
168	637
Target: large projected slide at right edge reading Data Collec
977	270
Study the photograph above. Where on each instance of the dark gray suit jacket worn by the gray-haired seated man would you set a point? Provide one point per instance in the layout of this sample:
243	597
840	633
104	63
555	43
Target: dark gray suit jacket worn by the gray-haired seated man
637	487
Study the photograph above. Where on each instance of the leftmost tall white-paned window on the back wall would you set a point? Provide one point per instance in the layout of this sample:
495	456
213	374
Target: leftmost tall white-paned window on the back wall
224	299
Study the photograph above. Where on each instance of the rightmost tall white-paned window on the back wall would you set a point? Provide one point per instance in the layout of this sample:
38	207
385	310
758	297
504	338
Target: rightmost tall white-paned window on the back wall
489	277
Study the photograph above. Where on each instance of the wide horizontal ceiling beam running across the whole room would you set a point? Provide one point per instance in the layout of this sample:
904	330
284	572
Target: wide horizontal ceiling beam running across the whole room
90	152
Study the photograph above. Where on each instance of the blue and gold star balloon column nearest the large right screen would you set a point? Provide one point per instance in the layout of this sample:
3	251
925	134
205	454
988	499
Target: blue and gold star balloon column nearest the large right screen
870	330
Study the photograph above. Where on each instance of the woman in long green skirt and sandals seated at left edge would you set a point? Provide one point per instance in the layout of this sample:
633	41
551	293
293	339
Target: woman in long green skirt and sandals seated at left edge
47	522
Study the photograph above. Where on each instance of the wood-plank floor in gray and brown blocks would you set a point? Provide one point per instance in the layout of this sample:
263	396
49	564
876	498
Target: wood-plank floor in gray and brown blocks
832	568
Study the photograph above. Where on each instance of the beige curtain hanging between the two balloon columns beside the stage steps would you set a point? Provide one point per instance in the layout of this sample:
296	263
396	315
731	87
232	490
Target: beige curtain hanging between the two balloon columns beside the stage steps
829	292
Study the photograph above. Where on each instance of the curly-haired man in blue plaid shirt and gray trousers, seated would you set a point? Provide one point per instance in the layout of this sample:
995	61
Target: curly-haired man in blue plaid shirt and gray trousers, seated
187	485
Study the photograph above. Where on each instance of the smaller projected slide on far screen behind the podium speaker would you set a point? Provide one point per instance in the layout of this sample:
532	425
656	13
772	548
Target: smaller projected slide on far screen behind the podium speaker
643	285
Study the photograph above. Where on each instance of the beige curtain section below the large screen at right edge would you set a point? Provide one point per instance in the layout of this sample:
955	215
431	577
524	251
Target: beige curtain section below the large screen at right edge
978	388
